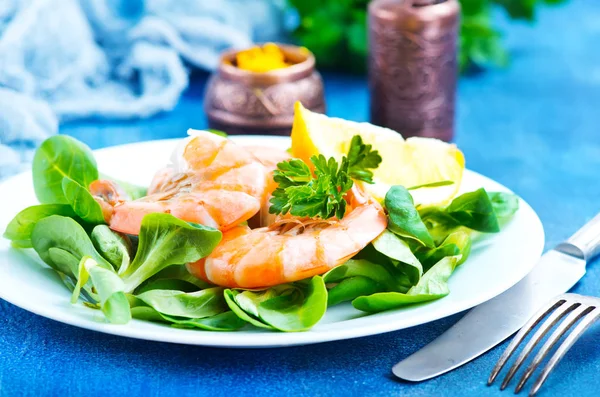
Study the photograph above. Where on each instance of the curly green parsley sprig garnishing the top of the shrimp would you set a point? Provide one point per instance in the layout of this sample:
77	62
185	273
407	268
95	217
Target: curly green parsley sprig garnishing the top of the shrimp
302	193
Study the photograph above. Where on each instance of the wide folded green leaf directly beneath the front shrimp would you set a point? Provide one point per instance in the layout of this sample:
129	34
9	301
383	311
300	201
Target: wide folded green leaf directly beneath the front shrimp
288	307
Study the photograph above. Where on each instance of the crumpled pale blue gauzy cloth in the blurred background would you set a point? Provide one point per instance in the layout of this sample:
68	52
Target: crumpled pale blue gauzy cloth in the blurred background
69	59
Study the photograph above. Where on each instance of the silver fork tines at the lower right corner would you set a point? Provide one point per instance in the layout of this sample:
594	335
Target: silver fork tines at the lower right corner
572	306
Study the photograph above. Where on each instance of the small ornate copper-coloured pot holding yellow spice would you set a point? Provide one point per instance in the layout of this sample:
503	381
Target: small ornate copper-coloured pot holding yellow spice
238	101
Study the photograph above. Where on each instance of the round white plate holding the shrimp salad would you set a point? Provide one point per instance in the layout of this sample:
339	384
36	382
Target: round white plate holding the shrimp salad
492	268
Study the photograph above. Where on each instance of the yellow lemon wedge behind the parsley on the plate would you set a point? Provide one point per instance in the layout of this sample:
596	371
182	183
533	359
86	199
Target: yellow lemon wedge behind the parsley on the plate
411	162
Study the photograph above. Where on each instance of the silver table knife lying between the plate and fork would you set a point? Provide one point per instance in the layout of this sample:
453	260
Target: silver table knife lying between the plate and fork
495	320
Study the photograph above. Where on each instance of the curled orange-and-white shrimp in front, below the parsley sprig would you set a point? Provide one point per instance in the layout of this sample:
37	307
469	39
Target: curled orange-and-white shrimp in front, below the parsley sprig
291	249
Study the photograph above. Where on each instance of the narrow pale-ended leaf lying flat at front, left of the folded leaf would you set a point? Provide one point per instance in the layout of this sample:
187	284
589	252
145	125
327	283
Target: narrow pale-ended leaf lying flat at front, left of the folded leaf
200	304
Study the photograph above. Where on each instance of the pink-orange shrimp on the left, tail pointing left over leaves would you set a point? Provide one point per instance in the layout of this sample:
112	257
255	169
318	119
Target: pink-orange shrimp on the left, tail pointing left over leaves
211	181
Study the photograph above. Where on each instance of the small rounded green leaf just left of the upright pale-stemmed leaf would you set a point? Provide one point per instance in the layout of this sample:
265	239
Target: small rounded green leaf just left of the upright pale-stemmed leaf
113	246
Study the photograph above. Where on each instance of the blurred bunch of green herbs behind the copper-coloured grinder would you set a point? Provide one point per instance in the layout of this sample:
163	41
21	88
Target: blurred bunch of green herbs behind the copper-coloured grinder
336	31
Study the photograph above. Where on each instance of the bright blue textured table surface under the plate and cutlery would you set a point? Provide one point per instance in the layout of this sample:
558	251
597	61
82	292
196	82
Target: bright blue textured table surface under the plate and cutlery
533	127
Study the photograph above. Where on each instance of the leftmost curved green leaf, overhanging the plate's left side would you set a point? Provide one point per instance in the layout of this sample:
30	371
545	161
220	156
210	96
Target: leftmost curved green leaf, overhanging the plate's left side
20	227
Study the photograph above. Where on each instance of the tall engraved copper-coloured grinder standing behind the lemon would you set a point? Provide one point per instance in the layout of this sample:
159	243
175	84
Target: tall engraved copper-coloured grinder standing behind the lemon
412	66
